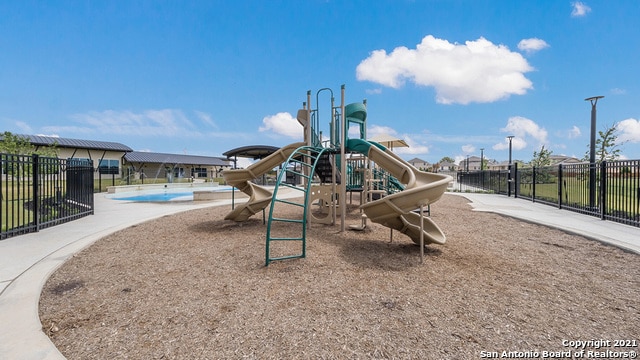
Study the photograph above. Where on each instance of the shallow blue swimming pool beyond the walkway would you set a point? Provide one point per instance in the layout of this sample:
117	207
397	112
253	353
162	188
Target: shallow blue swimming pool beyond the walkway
165	195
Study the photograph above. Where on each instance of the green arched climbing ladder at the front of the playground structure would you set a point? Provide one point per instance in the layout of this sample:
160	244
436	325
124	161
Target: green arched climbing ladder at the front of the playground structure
283	233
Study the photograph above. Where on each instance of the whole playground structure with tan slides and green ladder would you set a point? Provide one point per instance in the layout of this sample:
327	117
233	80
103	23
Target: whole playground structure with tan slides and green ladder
393	193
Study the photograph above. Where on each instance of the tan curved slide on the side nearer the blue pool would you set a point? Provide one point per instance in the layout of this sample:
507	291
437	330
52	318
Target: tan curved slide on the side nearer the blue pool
259	197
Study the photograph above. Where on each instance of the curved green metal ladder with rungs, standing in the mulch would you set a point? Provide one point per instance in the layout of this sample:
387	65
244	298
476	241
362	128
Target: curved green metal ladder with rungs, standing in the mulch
307	158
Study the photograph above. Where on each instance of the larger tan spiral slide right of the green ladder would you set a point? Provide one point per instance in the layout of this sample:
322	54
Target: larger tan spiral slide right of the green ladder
396	211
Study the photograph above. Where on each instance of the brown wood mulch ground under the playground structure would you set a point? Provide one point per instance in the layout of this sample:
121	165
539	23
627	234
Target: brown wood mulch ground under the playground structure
194	286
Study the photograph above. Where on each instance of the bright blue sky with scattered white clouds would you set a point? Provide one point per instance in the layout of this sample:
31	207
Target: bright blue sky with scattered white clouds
204	77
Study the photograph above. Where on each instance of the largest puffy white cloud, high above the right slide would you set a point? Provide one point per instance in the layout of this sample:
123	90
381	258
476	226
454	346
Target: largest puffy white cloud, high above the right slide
476	71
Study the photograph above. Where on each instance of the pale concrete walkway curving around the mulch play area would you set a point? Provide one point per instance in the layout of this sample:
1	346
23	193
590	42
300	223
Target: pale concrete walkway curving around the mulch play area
27	261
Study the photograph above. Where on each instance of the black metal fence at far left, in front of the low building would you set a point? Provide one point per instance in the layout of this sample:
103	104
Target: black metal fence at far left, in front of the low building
39	192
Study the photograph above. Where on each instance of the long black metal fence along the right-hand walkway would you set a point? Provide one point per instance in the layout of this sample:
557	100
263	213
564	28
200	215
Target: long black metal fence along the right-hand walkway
609	190
